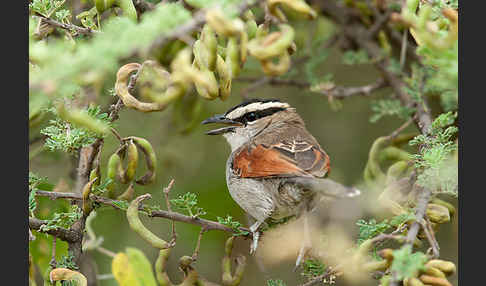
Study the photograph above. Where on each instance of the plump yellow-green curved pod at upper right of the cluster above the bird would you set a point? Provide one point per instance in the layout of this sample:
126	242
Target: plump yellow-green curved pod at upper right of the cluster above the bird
273	44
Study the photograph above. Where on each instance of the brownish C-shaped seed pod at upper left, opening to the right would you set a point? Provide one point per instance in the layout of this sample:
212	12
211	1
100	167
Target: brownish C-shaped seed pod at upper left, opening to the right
121	88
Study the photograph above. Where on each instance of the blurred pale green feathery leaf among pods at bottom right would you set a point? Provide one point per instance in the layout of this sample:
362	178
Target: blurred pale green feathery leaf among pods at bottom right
407	264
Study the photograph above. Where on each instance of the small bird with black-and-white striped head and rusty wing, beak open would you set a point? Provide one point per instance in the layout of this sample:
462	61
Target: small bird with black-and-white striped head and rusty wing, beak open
276	168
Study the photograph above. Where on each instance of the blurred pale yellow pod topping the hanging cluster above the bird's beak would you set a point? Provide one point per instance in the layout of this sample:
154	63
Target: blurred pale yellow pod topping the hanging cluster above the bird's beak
222	25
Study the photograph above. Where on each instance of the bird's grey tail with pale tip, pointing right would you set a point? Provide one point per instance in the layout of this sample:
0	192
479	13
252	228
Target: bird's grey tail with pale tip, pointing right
326	187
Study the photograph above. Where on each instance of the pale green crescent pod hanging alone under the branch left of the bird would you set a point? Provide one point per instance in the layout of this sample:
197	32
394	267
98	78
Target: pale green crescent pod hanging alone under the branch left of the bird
137	226
